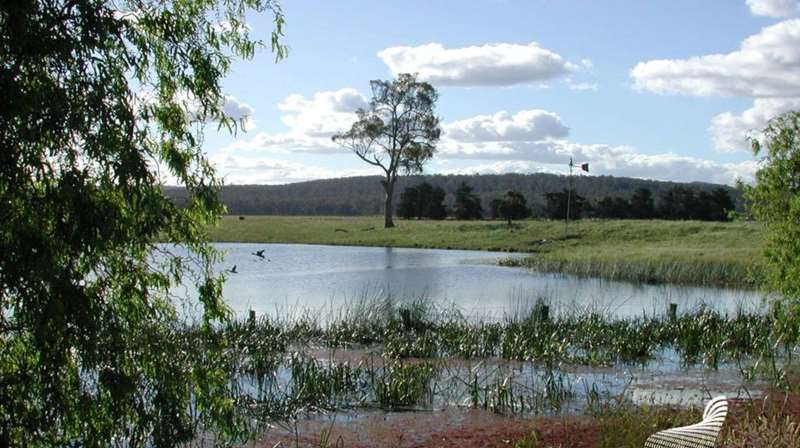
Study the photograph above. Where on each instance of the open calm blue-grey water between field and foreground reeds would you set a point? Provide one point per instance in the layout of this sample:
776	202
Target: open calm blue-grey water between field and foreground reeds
313	277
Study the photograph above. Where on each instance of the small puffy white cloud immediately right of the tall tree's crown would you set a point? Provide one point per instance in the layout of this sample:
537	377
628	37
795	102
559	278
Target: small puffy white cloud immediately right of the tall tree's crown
531	125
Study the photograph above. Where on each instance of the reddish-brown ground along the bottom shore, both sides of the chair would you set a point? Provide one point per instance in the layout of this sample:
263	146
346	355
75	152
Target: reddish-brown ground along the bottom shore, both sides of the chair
473	428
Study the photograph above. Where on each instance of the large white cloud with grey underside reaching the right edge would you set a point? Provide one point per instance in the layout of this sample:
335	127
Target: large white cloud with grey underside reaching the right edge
765	65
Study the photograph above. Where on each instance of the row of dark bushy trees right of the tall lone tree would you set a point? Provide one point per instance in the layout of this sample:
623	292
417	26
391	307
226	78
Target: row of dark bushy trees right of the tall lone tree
424	201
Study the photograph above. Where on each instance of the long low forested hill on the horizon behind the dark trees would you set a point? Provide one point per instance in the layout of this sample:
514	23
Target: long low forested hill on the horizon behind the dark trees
364	195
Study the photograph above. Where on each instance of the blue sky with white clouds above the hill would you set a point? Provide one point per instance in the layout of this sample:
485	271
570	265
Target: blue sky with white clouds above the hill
662	89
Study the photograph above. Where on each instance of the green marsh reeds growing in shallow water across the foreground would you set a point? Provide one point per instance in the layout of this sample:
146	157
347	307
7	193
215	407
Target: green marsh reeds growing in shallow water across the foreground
412	354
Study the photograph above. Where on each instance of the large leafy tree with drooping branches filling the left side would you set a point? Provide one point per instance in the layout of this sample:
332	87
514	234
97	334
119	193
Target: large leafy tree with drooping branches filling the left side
102	102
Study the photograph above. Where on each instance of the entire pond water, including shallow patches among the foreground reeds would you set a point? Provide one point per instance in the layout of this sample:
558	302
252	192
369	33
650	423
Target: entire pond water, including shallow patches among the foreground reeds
291	279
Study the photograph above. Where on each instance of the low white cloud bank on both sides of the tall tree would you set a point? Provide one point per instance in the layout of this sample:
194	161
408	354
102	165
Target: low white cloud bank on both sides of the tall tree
526	141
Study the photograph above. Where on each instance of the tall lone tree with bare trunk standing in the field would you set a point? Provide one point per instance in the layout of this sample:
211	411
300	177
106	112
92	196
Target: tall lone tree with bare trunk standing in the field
397	132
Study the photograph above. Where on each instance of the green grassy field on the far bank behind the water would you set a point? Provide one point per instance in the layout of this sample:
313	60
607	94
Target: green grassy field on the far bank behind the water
704	253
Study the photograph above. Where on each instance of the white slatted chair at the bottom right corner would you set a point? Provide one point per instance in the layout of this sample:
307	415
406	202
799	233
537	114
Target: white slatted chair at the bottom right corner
700	435
